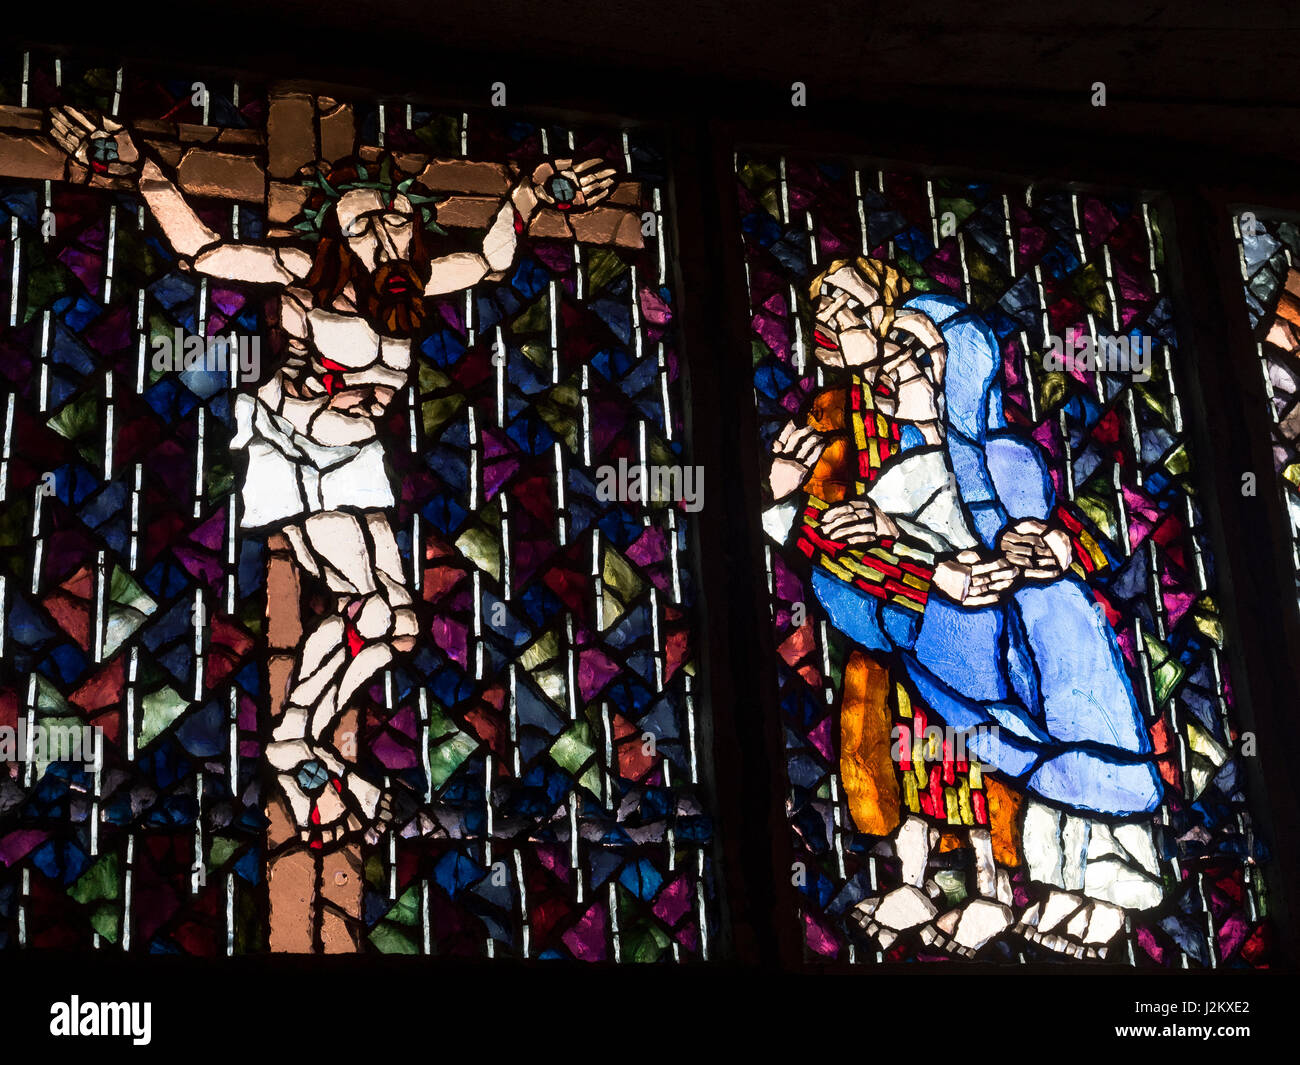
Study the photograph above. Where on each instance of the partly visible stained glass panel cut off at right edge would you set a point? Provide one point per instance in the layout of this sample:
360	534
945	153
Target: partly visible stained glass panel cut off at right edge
1269	248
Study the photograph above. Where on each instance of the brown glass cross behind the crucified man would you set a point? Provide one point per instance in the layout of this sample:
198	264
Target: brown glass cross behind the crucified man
315	897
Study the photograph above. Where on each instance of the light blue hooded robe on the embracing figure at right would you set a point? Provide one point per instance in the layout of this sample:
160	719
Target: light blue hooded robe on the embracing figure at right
1043	666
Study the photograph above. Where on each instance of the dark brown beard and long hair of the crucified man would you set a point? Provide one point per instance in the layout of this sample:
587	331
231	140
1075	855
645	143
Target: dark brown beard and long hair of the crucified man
389	314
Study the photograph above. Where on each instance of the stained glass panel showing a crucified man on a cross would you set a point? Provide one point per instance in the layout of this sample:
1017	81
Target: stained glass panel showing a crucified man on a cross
345	519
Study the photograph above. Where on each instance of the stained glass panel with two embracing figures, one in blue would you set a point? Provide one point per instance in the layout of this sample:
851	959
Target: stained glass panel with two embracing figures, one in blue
1004	685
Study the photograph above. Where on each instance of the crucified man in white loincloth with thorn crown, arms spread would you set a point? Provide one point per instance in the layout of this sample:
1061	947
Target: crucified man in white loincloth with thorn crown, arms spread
352	310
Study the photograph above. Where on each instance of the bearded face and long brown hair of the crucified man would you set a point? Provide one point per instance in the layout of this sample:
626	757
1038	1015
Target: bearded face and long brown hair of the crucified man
374	246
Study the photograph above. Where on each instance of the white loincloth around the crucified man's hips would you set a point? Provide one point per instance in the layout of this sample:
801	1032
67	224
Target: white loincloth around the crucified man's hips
292	477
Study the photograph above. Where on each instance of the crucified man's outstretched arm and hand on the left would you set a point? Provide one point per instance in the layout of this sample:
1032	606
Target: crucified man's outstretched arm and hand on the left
106	146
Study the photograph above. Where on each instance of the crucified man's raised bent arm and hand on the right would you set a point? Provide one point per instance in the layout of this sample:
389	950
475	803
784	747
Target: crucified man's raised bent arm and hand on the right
578	187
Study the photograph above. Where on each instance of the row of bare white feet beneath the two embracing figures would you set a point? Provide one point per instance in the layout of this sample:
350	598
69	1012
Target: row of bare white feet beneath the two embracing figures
1067	924
